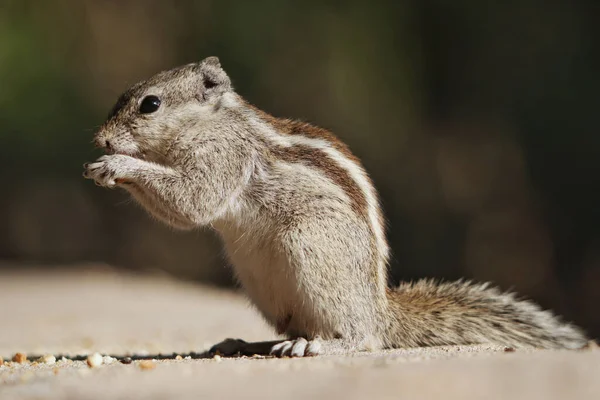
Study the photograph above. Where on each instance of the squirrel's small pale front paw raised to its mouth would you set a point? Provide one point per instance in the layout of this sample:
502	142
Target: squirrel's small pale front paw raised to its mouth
110	170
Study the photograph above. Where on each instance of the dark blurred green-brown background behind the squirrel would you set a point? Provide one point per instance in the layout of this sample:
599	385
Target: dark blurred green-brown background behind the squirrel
477	121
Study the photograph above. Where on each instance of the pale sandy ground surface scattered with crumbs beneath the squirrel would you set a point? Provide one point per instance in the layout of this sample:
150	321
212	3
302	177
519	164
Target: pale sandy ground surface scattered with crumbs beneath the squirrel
88	311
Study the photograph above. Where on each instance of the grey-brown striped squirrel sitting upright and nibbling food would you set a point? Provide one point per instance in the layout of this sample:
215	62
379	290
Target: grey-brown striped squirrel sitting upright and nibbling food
300	221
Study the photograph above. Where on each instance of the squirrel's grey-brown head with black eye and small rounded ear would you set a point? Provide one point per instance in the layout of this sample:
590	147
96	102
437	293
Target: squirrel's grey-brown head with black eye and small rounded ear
152	113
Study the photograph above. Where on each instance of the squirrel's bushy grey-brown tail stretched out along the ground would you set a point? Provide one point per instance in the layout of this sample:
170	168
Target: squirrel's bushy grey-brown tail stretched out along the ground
429	314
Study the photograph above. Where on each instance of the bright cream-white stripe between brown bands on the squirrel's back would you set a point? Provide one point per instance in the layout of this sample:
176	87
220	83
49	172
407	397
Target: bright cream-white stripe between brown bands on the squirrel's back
356	172
